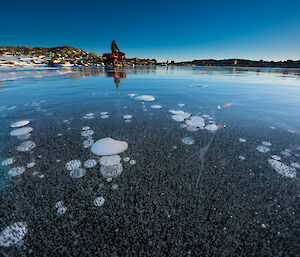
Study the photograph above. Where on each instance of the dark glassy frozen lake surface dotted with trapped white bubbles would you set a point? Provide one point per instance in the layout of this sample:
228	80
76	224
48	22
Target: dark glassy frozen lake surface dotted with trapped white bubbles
212	165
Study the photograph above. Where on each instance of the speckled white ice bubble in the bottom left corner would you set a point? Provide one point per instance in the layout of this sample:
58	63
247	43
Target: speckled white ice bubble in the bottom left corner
13	234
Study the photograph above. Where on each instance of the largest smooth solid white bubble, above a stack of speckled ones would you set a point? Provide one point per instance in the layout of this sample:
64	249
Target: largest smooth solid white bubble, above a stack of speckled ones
108	146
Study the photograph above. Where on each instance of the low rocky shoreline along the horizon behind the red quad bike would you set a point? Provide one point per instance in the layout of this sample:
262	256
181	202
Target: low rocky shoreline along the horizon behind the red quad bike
71	56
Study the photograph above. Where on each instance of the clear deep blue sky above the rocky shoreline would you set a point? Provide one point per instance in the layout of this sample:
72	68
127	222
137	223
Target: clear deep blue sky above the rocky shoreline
161	29
